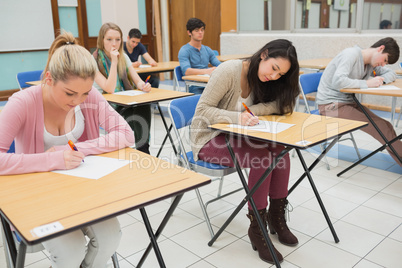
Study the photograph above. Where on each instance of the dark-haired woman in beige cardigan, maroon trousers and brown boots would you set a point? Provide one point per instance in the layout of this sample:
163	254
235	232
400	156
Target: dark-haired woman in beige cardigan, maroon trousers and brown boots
266	83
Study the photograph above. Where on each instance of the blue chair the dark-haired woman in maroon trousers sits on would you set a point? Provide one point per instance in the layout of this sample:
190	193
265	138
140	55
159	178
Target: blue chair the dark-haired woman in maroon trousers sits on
181	113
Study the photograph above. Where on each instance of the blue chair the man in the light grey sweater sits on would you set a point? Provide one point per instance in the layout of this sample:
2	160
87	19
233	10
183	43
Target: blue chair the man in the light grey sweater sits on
309	84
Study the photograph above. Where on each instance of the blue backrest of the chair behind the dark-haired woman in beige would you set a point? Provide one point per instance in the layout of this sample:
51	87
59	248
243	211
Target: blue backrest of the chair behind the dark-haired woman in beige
182	110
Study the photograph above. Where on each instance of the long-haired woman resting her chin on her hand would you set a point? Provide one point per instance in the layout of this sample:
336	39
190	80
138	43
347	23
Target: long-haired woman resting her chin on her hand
116	73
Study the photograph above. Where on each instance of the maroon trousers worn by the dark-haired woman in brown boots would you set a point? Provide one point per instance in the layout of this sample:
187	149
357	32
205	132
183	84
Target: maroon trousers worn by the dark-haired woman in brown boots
254	155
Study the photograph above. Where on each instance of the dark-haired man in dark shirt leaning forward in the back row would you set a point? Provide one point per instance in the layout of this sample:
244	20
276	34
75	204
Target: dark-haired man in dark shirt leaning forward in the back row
134	49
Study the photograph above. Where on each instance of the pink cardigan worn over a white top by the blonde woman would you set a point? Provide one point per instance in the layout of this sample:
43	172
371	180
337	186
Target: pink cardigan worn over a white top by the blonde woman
22	120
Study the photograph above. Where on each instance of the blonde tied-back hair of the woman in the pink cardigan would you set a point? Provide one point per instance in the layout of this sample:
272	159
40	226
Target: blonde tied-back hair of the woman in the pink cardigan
68	59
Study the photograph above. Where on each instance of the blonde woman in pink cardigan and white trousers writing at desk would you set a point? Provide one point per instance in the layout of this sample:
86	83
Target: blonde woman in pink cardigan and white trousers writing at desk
41	120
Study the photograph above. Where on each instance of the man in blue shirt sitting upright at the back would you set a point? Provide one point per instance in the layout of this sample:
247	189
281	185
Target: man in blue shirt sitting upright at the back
195	57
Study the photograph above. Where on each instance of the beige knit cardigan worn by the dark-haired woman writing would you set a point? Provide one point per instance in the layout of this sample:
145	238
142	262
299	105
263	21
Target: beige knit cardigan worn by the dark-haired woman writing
218	104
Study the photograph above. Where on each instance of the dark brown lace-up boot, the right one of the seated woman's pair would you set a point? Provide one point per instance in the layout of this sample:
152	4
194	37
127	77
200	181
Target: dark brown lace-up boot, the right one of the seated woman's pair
277	222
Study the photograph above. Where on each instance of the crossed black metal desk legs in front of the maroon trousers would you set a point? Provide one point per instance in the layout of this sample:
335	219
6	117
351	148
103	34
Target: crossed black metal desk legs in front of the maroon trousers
249	198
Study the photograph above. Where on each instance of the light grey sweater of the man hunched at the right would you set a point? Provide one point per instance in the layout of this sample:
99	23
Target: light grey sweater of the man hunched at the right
347	70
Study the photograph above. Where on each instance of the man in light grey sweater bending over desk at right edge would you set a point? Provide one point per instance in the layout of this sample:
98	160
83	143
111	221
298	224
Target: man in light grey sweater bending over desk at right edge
352	68
